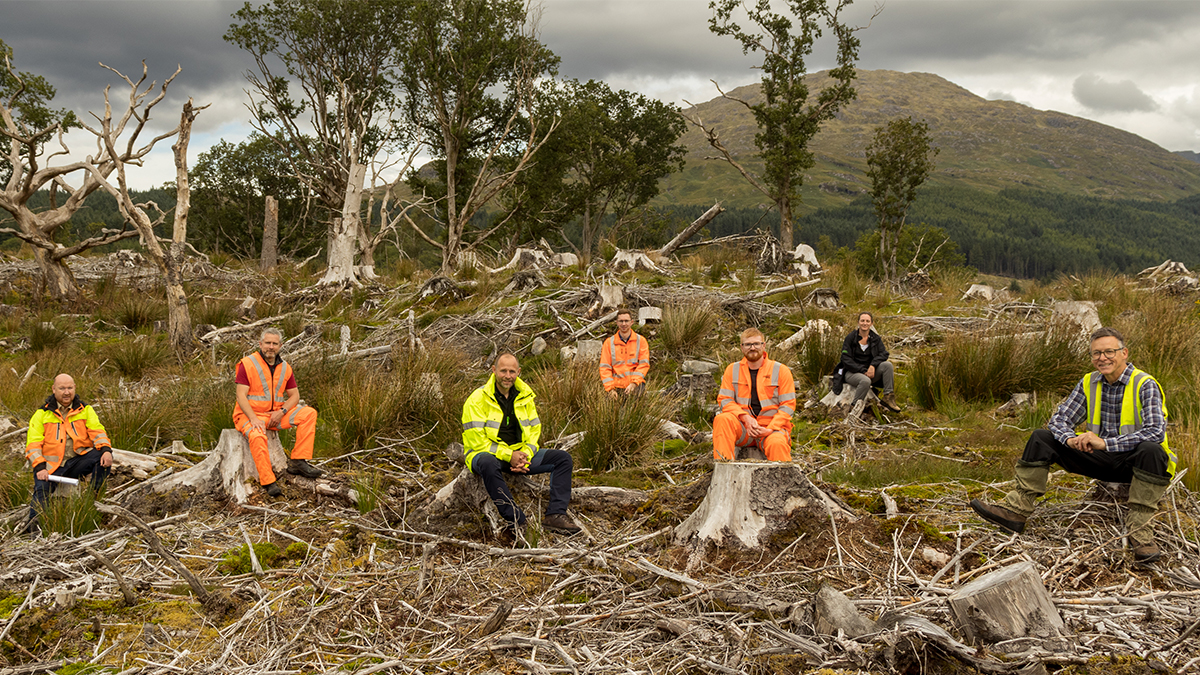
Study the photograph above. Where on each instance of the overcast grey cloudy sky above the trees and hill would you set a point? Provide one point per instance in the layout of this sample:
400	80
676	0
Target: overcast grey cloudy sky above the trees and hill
1131	64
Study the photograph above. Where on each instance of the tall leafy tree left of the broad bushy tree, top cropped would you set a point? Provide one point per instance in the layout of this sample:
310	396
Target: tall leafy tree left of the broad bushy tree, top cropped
471	76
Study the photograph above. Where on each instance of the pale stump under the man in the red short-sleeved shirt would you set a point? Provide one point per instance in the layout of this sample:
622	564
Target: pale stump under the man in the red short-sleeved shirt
229	468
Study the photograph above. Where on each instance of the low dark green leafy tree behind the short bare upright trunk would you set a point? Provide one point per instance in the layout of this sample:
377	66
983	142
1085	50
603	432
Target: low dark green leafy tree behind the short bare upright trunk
230	187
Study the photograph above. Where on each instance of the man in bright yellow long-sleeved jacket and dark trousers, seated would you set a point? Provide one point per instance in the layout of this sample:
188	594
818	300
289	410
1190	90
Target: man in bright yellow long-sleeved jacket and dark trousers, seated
500	435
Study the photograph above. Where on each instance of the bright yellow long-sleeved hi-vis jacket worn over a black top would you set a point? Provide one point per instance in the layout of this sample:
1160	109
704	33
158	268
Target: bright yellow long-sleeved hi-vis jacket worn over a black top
482	422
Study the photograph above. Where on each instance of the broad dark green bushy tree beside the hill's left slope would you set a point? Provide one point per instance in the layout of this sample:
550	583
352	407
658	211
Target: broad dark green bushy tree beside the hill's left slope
607	158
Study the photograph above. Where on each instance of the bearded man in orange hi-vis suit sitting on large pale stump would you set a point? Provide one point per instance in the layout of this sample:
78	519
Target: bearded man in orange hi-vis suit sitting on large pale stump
757	402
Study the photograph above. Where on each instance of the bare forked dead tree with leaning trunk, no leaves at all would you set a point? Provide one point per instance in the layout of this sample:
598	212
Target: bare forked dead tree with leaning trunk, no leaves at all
170	261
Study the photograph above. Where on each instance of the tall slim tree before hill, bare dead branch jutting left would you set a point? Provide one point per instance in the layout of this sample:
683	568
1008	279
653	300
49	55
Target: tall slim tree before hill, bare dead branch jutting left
788	117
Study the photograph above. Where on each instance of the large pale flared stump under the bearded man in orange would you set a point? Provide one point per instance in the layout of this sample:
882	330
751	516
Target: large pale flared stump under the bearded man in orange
749	504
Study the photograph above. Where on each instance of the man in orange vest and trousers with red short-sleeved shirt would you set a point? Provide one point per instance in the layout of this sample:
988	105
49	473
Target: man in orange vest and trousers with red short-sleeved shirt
268	399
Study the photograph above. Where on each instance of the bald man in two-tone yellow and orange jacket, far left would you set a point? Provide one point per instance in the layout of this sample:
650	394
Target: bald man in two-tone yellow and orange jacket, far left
65	440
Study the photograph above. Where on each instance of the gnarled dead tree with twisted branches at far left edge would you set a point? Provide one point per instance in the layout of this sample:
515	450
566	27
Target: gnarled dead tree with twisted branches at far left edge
32	159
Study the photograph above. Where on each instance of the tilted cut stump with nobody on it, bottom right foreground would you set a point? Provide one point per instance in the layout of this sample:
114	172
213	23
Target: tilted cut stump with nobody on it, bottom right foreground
1006	605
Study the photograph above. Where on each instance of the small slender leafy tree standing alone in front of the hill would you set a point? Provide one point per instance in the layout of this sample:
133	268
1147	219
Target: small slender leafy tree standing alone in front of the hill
899	160
